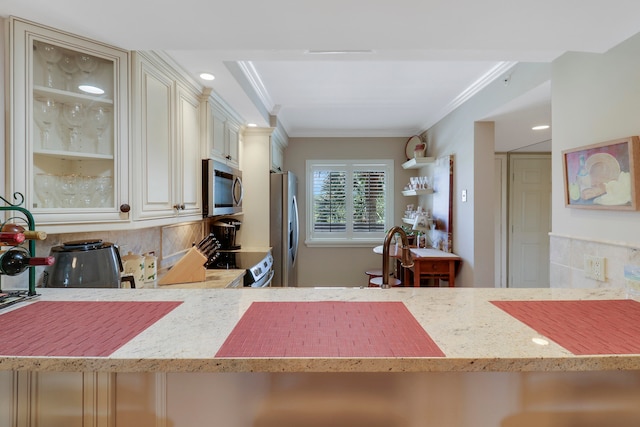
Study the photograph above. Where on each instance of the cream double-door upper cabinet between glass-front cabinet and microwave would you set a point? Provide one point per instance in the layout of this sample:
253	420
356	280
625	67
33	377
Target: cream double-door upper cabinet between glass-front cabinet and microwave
167	148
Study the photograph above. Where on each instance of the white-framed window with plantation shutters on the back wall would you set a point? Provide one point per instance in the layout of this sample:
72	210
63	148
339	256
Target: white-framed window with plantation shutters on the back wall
349	202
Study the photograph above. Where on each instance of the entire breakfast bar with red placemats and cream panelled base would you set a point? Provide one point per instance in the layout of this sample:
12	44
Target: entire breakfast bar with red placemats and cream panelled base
454	357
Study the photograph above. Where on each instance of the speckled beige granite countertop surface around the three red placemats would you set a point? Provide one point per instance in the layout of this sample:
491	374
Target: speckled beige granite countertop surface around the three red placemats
472	332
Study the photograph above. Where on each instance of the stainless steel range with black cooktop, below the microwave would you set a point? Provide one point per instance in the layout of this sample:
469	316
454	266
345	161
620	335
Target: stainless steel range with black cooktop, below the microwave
258	266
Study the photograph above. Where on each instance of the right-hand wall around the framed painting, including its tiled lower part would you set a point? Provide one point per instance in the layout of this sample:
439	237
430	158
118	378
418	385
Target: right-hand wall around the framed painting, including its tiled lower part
595	99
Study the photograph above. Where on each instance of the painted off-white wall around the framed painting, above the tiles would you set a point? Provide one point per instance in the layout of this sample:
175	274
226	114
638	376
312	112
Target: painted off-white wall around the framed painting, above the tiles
595	98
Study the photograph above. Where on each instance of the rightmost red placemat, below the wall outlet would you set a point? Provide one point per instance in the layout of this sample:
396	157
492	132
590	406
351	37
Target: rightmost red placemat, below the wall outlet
582	327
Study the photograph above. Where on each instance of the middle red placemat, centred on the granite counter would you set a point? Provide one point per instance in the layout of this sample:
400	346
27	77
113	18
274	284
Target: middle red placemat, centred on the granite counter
328	329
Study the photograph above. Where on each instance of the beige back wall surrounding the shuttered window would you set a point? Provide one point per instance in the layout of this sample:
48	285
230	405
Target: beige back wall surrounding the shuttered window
336	266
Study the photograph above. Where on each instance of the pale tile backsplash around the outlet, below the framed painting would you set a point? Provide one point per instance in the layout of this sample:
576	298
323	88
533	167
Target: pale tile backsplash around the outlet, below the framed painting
567	262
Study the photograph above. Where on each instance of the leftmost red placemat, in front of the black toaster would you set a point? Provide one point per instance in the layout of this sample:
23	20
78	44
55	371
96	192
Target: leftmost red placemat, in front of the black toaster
76	328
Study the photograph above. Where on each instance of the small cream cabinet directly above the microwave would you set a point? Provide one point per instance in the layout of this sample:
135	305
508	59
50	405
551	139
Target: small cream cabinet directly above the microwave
222	133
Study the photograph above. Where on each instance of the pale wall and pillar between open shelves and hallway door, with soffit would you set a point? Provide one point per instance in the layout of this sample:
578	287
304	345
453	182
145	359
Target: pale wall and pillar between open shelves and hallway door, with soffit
474	169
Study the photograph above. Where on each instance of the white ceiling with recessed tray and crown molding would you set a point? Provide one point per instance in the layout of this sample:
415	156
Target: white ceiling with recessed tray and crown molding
353	67
